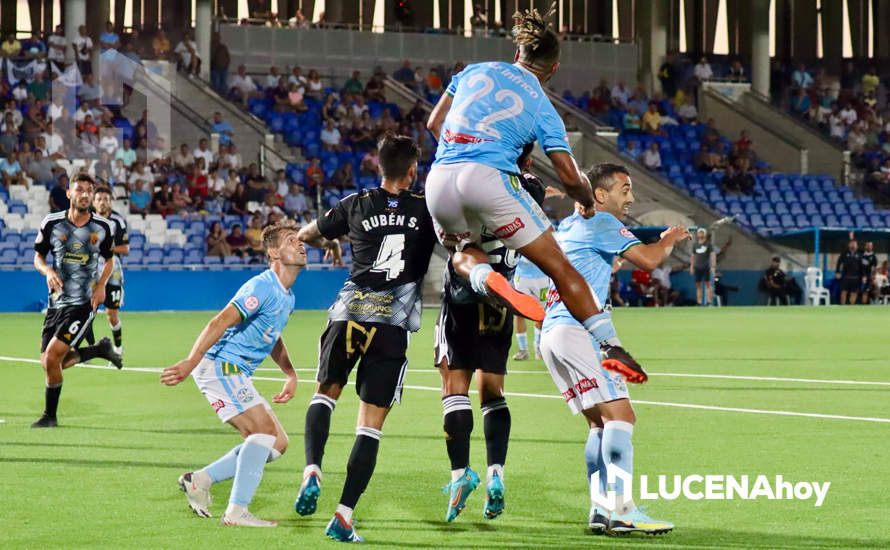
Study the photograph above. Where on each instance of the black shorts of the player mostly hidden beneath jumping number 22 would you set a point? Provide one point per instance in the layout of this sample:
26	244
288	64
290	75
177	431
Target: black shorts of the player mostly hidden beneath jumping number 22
474	336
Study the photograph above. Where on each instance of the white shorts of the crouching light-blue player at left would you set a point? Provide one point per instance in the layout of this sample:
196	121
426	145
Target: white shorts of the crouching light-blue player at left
229	395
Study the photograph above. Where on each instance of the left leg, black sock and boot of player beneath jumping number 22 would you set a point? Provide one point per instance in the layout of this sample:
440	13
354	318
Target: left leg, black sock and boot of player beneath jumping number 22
458	425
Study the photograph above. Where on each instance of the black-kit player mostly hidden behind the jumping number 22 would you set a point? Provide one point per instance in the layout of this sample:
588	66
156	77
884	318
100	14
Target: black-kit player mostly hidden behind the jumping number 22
474	335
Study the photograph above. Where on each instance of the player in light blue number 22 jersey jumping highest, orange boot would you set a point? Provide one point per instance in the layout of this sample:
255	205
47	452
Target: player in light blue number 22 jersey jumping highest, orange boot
488	113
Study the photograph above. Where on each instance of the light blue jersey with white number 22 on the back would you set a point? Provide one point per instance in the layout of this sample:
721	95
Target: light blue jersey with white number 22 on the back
498	108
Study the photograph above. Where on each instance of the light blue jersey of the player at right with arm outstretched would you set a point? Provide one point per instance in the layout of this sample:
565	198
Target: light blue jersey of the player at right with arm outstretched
590	244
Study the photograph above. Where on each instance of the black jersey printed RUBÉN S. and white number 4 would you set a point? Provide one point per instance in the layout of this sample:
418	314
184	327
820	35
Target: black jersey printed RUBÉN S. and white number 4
392	240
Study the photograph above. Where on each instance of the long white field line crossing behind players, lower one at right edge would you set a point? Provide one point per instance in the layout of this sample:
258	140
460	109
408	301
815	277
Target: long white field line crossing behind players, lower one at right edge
543	396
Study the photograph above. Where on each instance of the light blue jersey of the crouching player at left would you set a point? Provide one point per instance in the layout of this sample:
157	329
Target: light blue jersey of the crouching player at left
265	306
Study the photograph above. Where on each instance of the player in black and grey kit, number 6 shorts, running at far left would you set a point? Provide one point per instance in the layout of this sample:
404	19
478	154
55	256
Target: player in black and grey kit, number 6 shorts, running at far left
76	238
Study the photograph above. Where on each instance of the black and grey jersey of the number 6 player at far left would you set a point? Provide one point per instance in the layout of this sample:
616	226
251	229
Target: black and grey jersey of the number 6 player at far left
76	252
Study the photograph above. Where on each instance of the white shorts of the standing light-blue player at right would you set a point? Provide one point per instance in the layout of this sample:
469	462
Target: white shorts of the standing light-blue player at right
572	357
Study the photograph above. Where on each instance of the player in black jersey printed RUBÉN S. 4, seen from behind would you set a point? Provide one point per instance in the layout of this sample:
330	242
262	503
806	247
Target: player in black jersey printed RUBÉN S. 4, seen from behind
392	240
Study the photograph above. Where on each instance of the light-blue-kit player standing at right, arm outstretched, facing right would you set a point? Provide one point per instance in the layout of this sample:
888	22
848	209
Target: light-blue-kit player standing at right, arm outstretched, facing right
571	352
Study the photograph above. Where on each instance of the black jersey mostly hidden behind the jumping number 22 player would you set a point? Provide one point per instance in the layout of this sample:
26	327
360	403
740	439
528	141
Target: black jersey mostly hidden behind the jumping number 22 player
456	289
